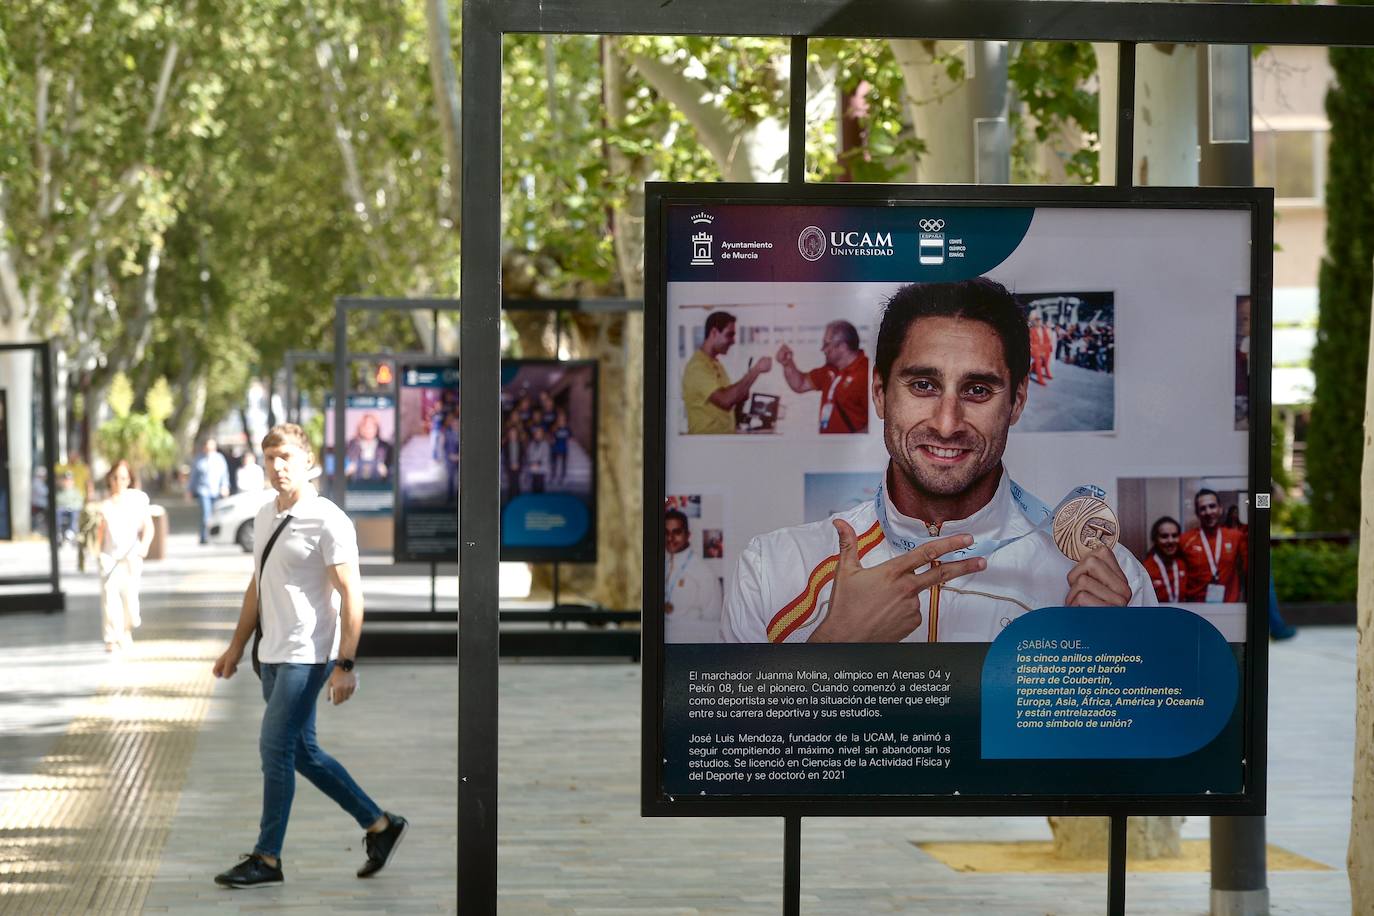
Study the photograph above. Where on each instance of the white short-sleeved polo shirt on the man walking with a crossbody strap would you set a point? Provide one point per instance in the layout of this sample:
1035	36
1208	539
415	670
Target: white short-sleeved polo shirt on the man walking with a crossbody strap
300	606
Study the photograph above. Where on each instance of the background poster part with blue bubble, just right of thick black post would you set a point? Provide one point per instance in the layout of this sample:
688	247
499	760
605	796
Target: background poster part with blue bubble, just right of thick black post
549	461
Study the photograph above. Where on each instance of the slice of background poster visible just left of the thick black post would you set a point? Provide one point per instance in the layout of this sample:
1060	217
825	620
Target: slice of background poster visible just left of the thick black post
428	463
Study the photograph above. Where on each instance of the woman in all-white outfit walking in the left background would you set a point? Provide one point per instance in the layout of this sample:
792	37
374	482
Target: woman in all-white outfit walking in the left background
124	538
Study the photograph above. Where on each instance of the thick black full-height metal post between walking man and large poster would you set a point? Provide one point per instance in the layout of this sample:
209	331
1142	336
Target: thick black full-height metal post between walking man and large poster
479	545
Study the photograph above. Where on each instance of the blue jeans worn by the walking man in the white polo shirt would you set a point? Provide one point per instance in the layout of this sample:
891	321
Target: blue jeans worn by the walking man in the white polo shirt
288	745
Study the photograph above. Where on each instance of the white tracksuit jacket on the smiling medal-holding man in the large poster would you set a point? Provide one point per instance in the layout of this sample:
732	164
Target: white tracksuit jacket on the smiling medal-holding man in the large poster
781	588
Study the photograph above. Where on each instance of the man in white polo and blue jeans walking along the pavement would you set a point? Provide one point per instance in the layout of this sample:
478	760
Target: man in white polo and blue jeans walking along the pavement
308	599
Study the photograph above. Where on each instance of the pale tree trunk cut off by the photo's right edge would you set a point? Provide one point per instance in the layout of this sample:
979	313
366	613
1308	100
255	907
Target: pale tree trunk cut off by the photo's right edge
1361	854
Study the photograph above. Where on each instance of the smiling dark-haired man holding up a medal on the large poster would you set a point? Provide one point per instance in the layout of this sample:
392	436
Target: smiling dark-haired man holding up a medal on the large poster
951	549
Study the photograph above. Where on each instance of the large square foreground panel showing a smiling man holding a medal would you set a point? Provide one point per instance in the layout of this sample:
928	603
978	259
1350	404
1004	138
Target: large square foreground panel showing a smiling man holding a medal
1064	378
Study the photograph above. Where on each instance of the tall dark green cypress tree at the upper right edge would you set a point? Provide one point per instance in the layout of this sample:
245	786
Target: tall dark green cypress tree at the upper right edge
1340	359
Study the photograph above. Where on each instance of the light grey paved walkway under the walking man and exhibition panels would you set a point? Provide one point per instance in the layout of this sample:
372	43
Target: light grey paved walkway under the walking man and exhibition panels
127	783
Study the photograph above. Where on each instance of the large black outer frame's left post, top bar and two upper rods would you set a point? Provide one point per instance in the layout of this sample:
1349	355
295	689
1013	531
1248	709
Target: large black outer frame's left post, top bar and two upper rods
484	25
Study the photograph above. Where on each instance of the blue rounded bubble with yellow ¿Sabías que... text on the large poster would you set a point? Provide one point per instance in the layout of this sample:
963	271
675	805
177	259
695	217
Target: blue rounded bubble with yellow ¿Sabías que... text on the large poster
1092	683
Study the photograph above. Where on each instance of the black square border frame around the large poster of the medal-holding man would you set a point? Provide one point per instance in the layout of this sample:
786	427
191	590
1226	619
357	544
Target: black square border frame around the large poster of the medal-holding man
1257	201
